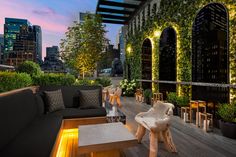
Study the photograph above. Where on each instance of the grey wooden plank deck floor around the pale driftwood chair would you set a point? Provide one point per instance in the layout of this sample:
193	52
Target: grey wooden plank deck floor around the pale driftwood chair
189	140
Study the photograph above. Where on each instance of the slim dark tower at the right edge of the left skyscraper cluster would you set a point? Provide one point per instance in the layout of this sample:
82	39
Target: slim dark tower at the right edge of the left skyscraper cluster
38	40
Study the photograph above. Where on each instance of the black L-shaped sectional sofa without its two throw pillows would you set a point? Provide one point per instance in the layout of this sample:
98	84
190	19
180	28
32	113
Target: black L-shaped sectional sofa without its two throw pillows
28	130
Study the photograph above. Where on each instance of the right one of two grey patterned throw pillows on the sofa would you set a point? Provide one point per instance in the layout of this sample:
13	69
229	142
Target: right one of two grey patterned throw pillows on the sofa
88	98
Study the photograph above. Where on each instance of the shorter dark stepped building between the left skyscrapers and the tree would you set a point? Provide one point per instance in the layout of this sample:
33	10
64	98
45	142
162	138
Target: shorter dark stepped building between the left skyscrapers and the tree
52	62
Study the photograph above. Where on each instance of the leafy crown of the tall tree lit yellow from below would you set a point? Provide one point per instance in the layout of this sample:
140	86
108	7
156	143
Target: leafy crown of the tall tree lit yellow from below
83	45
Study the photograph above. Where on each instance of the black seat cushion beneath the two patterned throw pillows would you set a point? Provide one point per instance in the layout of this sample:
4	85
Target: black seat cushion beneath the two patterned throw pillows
77	113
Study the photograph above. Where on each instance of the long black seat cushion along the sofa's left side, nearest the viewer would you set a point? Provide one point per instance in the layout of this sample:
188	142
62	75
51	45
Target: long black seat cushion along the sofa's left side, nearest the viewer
35	141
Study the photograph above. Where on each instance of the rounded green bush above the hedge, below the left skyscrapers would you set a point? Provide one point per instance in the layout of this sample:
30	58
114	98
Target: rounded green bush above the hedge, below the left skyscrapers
29	67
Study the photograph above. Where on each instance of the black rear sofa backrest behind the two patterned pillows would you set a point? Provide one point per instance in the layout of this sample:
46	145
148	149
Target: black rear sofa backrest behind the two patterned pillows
70	93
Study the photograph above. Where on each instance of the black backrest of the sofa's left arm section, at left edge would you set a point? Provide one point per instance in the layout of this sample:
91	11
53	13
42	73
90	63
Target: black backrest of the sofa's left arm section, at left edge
17	110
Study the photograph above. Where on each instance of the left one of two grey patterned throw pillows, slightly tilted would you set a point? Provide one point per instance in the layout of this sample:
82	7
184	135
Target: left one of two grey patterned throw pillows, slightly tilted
54	100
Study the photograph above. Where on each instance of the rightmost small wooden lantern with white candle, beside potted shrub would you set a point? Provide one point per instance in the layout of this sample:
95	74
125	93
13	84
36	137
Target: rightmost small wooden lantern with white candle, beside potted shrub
204	118
